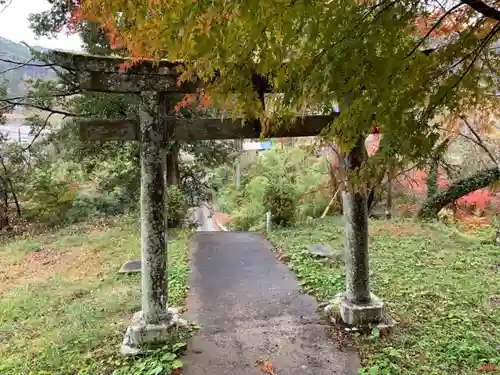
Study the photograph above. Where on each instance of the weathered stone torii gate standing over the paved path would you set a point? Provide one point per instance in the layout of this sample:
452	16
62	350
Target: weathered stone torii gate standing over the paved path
153	83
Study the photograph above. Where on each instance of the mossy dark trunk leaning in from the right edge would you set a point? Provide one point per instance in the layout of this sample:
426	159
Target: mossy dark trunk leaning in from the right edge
457	190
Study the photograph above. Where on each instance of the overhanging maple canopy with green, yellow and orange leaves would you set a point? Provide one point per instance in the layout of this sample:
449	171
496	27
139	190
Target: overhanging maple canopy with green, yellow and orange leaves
415	64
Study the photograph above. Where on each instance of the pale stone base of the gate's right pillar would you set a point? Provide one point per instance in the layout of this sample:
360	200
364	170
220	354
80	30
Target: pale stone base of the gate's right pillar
357	315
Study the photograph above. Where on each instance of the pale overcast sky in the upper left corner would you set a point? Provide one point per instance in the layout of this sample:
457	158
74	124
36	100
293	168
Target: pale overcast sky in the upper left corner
14	25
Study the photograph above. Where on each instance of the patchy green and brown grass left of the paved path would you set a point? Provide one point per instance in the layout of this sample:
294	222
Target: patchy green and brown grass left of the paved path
63	307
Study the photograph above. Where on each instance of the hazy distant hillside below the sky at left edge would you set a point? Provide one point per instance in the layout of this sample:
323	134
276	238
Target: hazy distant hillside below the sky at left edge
14	79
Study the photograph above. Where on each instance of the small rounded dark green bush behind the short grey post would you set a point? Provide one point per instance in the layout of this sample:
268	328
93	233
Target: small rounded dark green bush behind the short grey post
280	200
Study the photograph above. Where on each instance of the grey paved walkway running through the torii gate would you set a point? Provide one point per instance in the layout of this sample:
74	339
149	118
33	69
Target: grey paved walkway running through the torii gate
249	308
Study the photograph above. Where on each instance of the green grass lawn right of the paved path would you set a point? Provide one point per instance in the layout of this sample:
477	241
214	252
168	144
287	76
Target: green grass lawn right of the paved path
442	286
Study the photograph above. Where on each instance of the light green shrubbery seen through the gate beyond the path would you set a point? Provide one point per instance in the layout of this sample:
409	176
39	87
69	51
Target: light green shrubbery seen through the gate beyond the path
287	181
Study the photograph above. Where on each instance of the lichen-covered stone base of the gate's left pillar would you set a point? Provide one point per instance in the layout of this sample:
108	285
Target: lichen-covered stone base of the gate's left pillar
140	335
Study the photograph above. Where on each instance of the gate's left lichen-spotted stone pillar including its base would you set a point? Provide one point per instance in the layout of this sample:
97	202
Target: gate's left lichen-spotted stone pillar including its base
154	323
